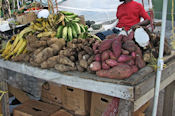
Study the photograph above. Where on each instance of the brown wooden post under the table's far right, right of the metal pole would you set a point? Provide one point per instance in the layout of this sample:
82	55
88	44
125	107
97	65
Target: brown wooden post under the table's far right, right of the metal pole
168	99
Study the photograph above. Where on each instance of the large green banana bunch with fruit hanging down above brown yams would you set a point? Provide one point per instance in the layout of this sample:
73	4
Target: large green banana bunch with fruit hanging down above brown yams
72	30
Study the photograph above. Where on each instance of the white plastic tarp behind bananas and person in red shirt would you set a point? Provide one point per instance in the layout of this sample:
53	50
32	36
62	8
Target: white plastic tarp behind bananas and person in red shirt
96	10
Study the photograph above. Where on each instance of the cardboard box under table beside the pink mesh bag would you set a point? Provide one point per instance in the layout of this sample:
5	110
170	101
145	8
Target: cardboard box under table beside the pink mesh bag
99	104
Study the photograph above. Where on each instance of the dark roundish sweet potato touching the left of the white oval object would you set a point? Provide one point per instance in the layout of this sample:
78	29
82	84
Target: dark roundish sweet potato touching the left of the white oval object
129	45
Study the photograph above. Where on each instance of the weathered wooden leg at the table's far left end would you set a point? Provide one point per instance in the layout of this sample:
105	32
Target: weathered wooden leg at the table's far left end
5	99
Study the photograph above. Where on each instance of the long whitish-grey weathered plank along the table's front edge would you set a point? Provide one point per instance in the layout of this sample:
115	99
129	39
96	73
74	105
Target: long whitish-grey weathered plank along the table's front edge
73	80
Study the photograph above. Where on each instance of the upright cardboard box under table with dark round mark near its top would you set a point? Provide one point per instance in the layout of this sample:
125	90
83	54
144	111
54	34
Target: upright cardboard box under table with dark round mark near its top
51	93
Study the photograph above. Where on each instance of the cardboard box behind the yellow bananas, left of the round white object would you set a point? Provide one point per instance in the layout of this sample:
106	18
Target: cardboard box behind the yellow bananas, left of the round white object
26	18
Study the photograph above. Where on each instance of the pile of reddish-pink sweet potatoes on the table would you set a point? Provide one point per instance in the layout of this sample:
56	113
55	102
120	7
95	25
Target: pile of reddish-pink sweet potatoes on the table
118	57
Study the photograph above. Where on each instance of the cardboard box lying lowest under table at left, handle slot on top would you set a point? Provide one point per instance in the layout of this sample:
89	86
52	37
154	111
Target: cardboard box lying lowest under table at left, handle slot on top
35	108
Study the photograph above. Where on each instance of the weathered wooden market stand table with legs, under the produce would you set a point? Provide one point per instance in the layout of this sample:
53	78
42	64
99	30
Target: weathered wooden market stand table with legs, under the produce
134	91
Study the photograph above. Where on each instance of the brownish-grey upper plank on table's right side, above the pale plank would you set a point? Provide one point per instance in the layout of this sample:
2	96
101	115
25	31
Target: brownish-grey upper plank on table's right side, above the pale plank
148	83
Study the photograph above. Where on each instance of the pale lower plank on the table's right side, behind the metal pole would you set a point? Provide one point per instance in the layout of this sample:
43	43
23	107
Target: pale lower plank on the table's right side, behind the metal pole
147	96
